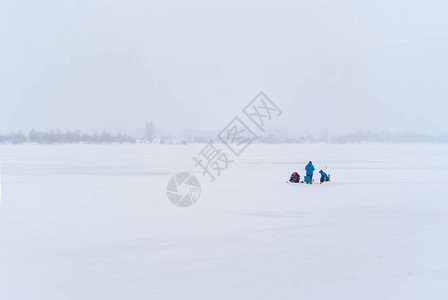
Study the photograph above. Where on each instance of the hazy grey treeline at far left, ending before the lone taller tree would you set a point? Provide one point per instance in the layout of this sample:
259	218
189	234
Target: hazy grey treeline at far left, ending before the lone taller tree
58	136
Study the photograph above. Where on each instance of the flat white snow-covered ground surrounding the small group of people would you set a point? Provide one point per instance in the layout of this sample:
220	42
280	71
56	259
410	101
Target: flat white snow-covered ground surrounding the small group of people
94	222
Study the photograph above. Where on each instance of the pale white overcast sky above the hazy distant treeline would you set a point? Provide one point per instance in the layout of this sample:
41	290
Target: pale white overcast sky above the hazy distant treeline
340	66
